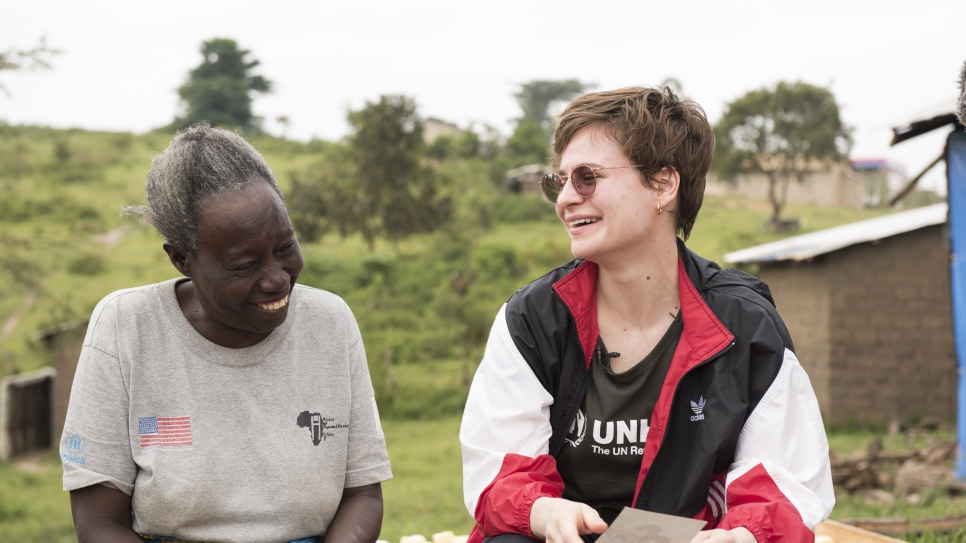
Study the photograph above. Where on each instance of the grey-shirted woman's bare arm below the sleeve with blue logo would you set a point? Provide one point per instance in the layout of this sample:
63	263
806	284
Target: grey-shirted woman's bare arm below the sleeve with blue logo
102	515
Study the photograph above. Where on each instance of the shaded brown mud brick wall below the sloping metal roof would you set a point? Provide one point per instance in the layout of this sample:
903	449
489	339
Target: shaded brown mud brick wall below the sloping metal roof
892	333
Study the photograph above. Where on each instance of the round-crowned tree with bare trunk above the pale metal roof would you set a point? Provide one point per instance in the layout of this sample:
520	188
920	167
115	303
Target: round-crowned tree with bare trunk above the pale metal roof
782	132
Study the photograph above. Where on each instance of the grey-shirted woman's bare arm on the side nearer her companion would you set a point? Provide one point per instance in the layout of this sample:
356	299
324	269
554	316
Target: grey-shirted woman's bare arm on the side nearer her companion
359	518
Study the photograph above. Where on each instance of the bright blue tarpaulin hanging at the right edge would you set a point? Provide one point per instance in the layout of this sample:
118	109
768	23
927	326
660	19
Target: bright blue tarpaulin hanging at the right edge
956	174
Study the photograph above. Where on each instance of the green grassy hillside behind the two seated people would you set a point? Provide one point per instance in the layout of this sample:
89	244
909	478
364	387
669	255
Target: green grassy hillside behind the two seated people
65	247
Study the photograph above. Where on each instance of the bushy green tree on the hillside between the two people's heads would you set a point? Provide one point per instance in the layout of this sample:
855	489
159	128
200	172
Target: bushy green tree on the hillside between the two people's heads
382	188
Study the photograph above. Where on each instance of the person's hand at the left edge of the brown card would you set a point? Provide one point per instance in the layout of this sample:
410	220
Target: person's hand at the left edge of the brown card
562	521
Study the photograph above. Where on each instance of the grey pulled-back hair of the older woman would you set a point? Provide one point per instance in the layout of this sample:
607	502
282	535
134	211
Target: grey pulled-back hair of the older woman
200	162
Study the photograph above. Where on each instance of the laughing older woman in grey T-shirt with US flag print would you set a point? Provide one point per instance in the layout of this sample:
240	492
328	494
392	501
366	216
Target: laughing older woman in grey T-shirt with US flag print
230	404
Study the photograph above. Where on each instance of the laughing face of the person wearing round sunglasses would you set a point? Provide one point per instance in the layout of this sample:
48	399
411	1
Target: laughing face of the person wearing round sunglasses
620	218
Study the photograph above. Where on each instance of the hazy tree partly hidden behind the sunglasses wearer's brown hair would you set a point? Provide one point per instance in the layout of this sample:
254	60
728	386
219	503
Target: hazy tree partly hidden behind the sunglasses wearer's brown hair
530	141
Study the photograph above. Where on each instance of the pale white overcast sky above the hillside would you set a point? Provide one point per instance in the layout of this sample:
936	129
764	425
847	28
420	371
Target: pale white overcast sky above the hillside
886	62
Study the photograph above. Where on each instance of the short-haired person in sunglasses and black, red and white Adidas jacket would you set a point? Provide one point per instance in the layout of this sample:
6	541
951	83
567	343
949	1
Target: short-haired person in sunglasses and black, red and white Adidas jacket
640	374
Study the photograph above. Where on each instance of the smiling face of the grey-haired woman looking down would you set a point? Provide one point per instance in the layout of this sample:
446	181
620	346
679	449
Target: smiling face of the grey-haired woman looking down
244	269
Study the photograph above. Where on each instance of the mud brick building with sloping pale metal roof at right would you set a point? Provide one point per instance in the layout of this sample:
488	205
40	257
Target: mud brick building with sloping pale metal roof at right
869	308
